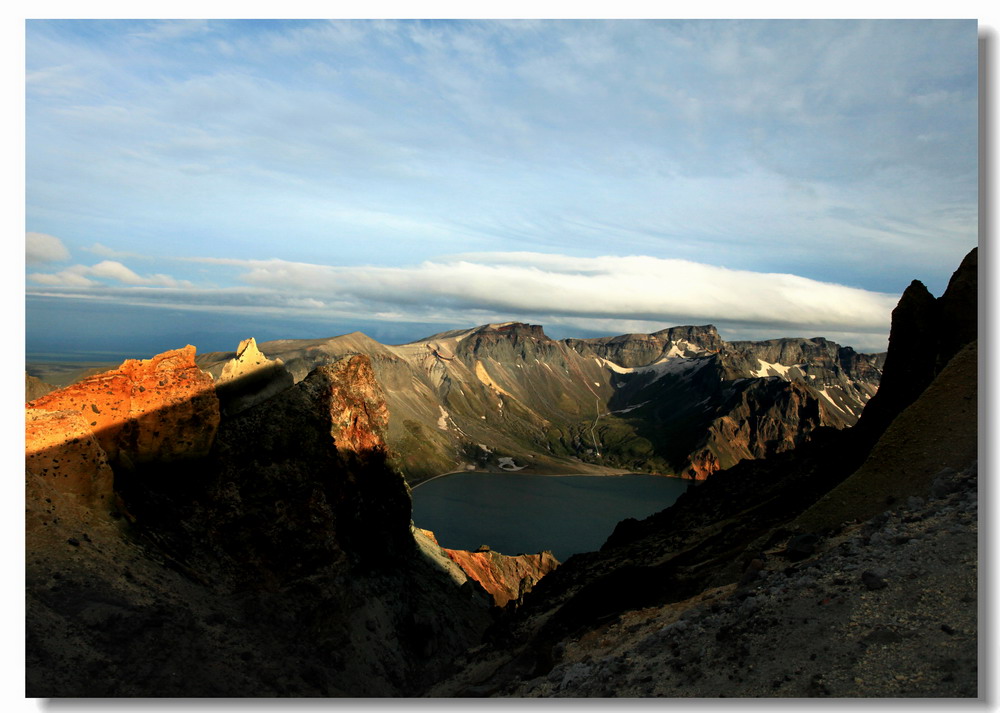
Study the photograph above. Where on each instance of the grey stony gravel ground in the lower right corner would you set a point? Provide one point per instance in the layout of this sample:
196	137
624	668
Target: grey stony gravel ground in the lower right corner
886	608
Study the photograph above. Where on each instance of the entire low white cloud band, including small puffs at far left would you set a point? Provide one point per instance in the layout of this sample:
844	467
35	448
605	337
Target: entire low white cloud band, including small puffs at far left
611	294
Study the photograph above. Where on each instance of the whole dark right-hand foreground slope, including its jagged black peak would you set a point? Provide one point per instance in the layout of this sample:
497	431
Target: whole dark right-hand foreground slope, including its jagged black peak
763	528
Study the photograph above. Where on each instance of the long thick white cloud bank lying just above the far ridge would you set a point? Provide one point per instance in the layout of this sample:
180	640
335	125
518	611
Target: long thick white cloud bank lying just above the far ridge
625	288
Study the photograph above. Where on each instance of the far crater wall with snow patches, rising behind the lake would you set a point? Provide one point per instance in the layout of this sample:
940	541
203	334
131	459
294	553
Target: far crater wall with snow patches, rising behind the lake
678	402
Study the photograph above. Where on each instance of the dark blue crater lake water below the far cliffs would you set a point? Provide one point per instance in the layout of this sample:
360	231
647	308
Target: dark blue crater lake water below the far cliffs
515	513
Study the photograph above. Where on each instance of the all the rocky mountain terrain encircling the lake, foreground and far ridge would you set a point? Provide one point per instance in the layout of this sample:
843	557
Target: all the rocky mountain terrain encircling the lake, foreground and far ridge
239	524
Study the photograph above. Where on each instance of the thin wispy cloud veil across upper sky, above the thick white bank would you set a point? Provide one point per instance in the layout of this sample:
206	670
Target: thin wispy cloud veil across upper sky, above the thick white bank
694	139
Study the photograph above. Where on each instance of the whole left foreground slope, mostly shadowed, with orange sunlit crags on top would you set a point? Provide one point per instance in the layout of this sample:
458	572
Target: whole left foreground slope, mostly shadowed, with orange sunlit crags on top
171	552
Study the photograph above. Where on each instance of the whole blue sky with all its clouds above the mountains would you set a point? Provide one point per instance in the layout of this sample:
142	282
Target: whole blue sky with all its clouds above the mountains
205	181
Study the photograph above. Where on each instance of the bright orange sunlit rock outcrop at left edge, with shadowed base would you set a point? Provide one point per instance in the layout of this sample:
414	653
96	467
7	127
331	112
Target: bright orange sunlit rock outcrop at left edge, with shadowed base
149	410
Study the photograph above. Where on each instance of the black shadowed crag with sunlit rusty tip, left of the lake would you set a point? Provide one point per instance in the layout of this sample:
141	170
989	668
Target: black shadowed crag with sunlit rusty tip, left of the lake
305	471
